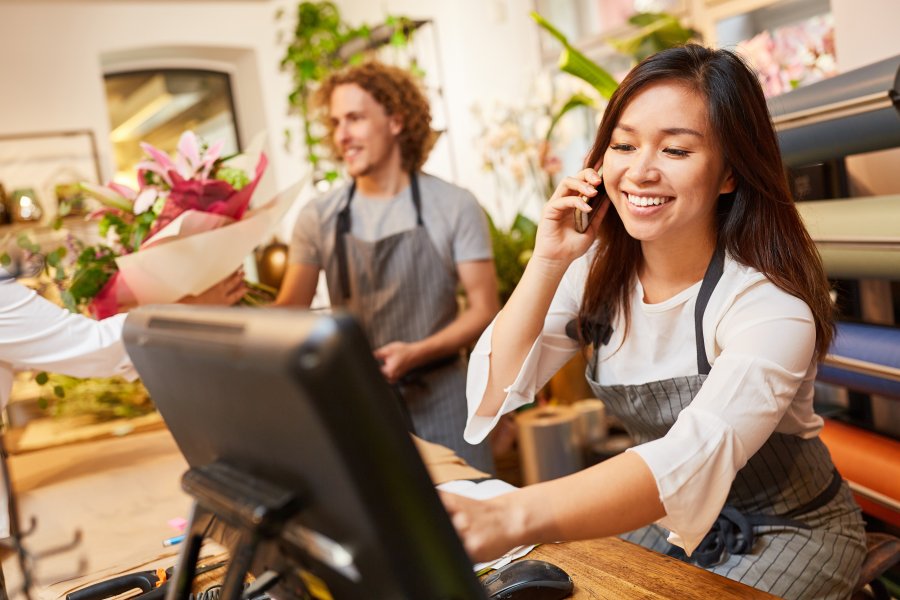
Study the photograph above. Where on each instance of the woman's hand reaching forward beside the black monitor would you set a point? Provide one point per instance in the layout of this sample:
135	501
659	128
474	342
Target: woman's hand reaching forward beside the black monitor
484	526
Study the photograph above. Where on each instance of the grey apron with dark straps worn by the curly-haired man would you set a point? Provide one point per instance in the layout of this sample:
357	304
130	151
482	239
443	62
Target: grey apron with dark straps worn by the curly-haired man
400	289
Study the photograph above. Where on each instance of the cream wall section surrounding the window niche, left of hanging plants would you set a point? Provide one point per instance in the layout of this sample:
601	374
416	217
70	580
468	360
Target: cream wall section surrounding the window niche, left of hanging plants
53	55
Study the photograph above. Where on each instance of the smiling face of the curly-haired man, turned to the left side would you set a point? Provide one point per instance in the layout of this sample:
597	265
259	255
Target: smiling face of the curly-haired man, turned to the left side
364	134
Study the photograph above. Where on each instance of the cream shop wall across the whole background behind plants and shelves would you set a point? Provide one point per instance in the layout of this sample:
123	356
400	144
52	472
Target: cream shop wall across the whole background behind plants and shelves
53	54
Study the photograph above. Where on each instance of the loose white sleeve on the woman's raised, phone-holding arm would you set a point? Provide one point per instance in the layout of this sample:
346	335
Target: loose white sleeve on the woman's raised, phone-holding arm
551	350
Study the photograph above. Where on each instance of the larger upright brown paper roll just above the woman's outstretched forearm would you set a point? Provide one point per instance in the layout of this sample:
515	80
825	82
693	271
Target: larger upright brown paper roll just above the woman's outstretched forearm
549	443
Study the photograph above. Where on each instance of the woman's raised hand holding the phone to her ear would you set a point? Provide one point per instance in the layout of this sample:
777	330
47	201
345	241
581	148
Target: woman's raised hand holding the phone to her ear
557	239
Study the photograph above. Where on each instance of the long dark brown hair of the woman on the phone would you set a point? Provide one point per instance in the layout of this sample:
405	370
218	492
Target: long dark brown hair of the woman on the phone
758	223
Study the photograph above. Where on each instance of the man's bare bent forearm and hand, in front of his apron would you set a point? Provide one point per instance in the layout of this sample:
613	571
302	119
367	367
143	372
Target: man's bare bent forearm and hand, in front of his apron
479	280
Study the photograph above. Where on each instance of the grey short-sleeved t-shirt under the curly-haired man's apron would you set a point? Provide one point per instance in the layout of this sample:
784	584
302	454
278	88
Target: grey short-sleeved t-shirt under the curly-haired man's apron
454	220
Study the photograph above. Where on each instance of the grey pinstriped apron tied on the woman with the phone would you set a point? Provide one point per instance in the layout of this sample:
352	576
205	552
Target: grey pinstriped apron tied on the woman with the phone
789	527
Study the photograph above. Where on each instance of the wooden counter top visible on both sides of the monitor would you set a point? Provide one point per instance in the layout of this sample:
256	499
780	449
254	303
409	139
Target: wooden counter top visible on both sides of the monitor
122	492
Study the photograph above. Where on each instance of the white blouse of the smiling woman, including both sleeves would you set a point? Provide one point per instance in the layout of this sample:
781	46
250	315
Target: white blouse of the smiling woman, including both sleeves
760	342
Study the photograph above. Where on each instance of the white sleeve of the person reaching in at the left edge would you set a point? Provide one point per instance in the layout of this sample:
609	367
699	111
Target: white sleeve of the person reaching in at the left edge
37	334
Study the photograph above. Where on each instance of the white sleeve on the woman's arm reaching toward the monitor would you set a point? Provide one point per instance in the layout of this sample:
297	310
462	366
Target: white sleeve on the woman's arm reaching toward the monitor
768	341
